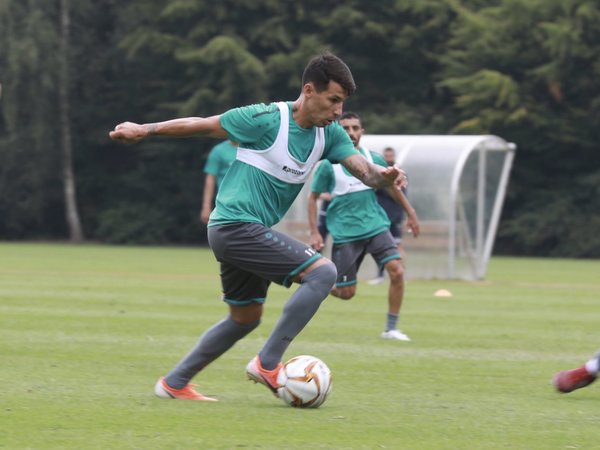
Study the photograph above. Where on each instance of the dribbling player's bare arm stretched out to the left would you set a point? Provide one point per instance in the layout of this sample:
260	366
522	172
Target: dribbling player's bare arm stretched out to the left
130	132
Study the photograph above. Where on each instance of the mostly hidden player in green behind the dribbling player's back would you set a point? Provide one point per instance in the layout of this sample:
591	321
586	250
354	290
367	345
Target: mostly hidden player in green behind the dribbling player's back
219	160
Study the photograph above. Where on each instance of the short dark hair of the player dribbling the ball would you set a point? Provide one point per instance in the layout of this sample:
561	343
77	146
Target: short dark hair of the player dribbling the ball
327	67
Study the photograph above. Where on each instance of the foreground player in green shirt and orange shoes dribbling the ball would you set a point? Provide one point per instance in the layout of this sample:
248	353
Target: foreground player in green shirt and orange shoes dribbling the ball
279	144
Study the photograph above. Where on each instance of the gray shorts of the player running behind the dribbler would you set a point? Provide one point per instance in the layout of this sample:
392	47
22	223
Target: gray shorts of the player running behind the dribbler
348	257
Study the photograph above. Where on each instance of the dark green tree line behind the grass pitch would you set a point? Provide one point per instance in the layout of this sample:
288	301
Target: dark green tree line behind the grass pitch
526	70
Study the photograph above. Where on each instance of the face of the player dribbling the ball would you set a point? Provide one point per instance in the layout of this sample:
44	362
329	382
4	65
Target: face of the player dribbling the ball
326	106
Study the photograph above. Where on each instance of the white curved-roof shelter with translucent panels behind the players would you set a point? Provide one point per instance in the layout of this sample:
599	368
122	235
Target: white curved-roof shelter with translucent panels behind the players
457	185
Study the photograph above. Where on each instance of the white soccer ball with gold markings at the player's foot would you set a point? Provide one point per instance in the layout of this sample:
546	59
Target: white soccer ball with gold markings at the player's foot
305	382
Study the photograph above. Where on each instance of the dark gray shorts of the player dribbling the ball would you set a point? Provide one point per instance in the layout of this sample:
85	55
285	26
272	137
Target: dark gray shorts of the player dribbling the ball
252	256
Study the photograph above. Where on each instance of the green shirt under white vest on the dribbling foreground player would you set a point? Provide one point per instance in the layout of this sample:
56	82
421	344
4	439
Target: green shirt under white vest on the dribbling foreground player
247	194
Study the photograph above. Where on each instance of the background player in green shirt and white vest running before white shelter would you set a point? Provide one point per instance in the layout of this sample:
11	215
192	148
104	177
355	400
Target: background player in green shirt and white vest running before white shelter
359	225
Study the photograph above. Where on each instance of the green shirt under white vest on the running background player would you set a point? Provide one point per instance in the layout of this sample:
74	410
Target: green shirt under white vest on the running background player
354	216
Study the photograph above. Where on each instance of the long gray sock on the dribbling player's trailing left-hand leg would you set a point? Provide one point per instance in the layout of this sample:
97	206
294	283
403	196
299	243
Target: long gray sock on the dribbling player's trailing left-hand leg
212	344
